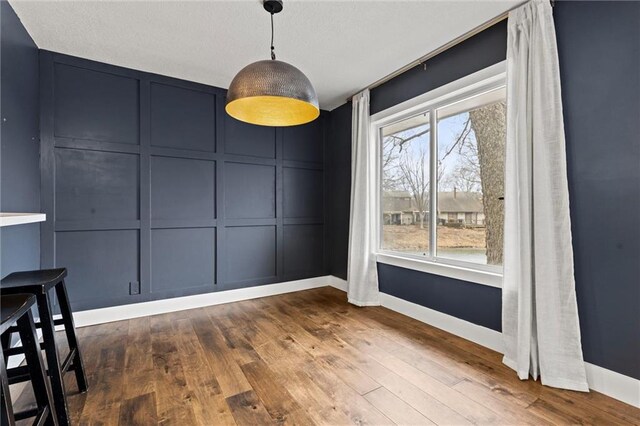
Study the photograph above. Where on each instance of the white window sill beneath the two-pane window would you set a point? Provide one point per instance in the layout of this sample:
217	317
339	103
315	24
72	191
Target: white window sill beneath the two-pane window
491	279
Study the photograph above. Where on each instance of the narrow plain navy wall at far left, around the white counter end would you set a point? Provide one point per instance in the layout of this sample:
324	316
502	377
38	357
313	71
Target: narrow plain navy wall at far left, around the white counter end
19	155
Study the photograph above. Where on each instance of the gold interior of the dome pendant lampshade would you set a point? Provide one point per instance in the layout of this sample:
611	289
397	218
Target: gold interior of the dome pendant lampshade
276	111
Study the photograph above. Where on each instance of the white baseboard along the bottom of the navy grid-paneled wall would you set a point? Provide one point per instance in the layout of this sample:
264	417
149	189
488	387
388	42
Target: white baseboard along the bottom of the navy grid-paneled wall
154	307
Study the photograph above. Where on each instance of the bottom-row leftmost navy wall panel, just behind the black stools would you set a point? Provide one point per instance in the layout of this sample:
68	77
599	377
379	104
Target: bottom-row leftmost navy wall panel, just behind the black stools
101	264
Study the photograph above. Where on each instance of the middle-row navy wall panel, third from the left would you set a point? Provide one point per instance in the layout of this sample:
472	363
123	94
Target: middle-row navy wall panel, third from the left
250	191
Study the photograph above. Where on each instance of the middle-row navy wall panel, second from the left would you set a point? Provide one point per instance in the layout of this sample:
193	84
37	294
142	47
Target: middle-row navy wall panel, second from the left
182	188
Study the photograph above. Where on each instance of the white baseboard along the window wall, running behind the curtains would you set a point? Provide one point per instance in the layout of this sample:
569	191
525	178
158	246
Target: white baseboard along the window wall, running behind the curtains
608	382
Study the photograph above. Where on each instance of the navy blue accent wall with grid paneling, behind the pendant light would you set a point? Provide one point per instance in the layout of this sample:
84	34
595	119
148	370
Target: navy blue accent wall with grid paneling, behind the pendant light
153	191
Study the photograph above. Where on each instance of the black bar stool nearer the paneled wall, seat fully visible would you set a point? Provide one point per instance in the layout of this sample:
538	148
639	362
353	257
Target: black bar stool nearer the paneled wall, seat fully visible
39	283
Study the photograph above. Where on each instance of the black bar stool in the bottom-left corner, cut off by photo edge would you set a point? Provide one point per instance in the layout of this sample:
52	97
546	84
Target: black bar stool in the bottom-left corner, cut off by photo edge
17	308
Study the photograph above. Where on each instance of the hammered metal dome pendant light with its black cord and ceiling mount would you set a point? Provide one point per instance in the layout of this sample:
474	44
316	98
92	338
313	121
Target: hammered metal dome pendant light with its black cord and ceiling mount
272	92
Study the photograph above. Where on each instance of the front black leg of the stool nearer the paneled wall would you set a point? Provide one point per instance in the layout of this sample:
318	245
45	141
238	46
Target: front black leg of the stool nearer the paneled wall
53	358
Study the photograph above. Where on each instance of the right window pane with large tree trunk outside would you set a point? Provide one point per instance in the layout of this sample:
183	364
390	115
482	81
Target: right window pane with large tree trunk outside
470	180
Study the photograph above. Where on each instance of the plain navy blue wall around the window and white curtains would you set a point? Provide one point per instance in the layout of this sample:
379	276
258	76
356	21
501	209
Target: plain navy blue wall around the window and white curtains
599	49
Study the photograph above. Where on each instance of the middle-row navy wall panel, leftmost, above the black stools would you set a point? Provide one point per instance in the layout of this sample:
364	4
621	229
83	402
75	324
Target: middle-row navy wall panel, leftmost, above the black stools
94	185
